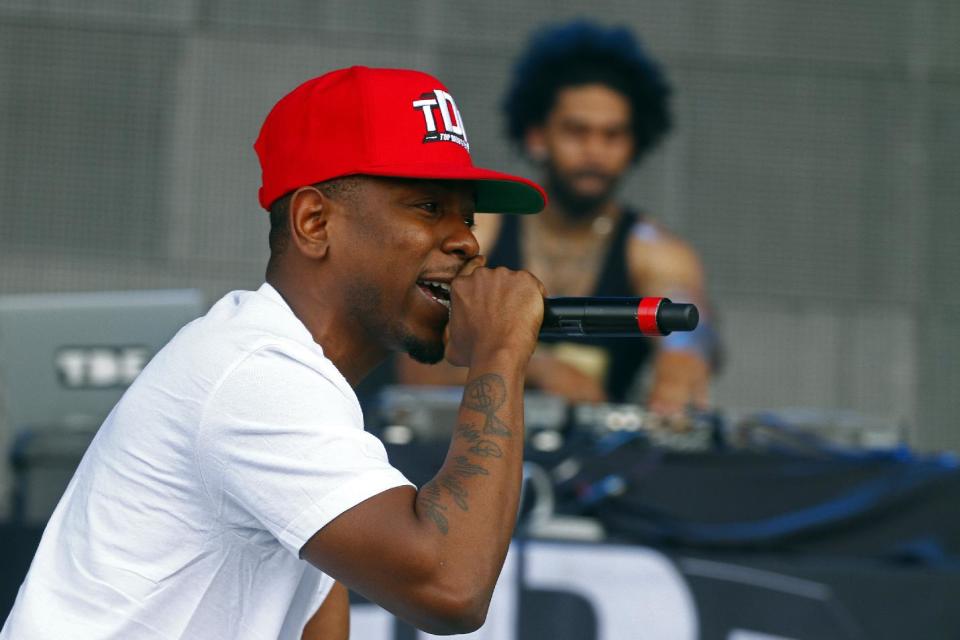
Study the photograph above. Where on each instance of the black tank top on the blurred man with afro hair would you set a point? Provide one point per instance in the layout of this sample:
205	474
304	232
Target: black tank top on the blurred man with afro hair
625	356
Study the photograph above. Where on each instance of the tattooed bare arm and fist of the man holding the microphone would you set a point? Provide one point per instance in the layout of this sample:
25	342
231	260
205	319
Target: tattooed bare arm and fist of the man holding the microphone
433	557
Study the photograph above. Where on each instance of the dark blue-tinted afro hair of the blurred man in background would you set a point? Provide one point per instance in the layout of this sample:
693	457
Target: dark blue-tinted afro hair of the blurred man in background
583	52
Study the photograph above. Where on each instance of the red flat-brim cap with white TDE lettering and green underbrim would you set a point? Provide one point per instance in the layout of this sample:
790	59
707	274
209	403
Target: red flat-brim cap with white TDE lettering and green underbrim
380	122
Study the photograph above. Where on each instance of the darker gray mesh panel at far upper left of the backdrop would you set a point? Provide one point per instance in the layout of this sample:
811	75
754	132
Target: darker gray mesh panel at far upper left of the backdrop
86	132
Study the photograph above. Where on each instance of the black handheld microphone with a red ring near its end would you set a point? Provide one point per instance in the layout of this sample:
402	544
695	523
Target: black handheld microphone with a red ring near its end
616	317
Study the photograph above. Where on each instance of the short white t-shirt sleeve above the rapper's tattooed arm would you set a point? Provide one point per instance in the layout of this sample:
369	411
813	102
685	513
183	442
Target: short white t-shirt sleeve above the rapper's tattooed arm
281	441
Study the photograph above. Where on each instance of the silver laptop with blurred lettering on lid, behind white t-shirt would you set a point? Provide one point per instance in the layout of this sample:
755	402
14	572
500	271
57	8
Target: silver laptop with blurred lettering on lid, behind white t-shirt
65	360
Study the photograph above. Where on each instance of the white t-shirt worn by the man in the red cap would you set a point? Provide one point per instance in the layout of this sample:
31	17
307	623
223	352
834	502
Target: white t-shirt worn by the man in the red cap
237	443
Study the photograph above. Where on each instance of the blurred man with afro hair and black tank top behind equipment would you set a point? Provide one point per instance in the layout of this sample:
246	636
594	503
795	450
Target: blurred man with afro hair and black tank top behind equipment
586	104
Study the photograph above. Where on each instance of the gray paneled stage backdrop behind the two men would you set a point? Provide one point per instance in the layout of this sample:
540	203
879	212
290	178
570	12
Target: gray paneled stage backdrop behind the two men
814	162
